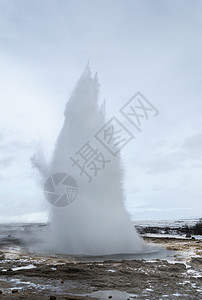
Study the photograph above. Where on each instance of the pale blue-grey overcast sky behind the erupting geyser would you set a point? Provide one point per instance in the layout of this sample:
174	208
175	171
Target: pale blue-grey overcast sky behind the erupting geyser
154	47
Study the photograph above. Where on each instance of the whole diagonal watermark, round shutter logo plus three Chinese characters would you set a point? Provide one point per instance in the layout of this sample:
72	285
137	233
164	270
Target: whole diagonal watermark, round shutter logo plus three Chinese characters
61	189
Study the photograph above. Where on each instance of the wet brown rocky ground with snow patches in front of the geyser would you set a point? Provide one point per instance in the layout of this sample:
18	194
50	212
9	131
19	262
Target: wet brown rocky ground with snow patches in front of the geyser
178	276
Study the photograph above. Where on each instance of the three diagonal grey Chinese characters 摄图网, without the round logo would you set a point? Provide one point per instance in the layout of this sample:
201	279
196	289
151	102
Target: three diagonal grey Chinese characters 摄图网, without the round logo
113	136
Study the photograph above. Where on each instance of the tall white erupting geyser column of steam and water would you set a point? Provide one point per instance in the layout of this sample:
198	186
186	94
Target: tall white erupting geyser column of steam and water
96	222
